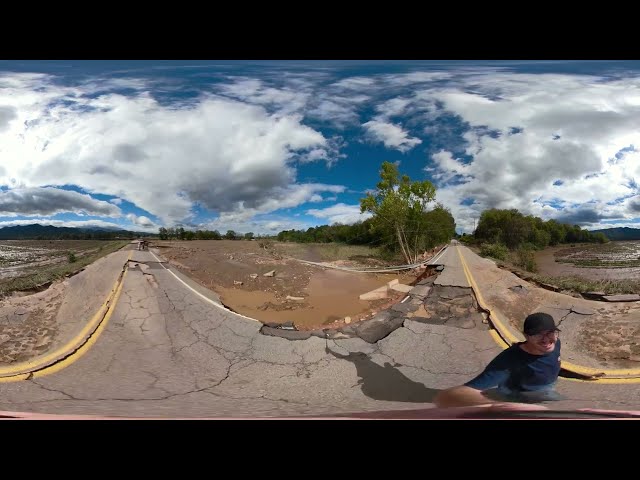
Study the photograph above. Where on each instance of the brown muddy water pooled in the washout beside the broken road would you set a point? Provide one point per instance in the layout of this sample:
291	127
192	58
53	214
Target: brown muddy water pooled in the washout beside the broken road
331	295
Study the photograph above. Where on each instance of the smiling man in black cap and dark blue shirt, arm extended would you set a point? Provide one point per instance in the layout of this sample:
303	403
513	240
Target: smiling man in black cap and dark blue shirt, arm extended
525	372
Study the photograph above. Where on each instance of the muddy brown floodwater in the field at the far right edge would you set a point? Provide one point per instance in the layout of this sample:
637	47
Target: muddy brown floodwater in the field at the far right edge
548	266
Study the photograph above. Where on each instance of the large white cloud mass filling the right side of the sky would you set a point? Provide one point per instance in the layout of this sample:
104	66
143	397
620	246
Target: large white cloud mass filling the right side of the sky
569	127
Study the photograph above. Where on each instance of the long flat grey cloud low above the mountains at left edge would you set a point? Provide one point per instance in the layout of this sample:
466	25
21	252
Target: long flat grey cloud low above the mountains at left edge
49	201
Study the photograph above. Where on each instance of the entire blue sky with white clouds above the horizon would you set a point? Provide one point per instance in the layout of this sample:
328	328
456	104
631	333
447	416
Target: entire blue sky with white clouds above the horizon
265	146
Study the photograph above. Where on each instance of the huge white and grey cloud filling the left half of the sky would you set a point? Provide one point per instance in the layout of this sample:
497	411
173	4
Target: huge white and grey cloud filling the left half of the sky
221	153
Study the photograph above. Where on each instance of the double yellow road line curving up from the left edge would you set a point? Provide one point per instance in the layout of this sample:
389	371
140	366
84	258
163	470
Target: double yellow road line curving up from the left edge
68	353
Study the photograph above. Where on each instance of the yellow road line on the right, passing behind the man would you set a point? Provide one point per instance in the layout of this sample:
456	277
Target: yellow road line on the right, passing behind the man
504	336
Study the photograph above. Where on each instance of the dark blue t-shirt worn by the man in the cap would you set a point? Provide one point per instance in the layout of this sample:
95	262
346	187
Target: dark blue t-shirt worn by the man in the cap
519	371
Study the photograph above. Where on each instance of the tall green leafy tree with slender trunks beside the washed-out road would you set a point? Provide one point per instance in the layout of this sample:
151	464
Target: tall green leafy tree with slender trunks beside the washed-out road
398	206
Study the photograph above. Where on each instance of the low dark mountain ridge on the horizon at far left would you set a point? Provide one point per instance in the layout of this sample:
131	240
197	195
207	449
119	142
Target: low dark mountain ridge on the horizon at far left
48	232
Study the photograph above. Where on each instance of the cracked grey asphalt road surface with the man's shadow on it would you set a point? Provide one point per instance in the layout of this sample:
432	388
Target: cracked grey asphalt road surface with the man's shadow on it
166	352
